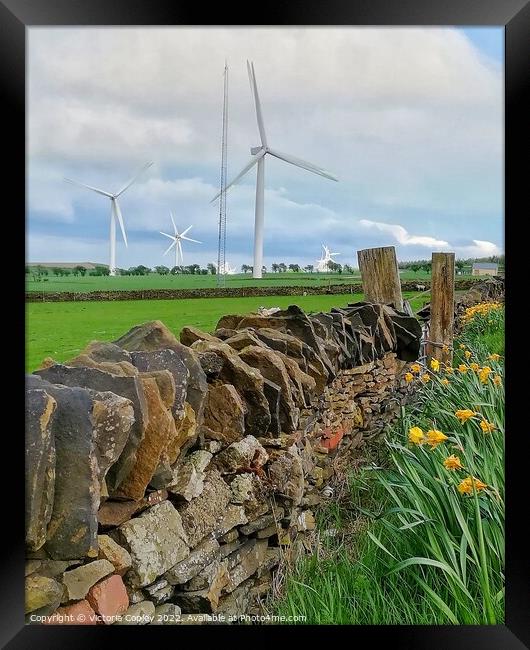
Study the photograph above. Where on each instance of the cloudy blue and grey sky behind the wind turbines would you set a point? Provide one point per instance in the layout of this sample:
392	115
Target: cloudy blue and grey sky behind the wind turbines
410	120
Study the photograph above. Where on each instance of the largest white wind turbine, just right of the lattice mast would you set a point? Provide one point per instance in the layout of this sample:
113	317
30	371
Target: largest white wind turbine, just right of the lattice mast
258	158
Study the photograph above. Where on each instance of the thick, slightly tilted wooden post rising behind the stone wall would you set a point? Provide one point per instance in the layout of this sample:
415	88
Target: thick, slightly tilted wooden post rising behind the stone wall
380	276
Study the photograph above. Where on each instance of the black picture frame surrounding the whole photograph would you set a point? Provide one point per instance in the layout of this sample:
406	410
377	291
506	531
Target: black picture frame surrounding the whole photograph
18	15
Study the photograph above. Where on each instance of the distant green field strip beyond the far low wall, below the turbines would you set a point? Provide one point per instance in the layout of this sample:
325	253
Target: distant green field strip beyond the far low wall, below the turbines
155	281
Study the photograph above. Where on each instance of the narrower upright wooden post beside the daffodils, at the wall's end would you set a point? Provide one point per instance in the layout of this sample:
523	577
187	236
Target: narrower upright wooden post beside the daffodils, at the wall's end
442	307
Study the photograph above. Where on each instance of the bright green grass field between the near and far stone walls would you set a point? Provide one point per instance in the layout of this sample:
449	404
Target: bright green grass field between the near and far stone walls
61	329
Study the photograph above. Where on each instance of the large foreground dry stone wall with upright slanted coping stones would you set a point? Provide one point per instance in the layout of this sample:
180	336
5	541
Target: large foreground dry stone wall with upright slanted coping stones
168	477
